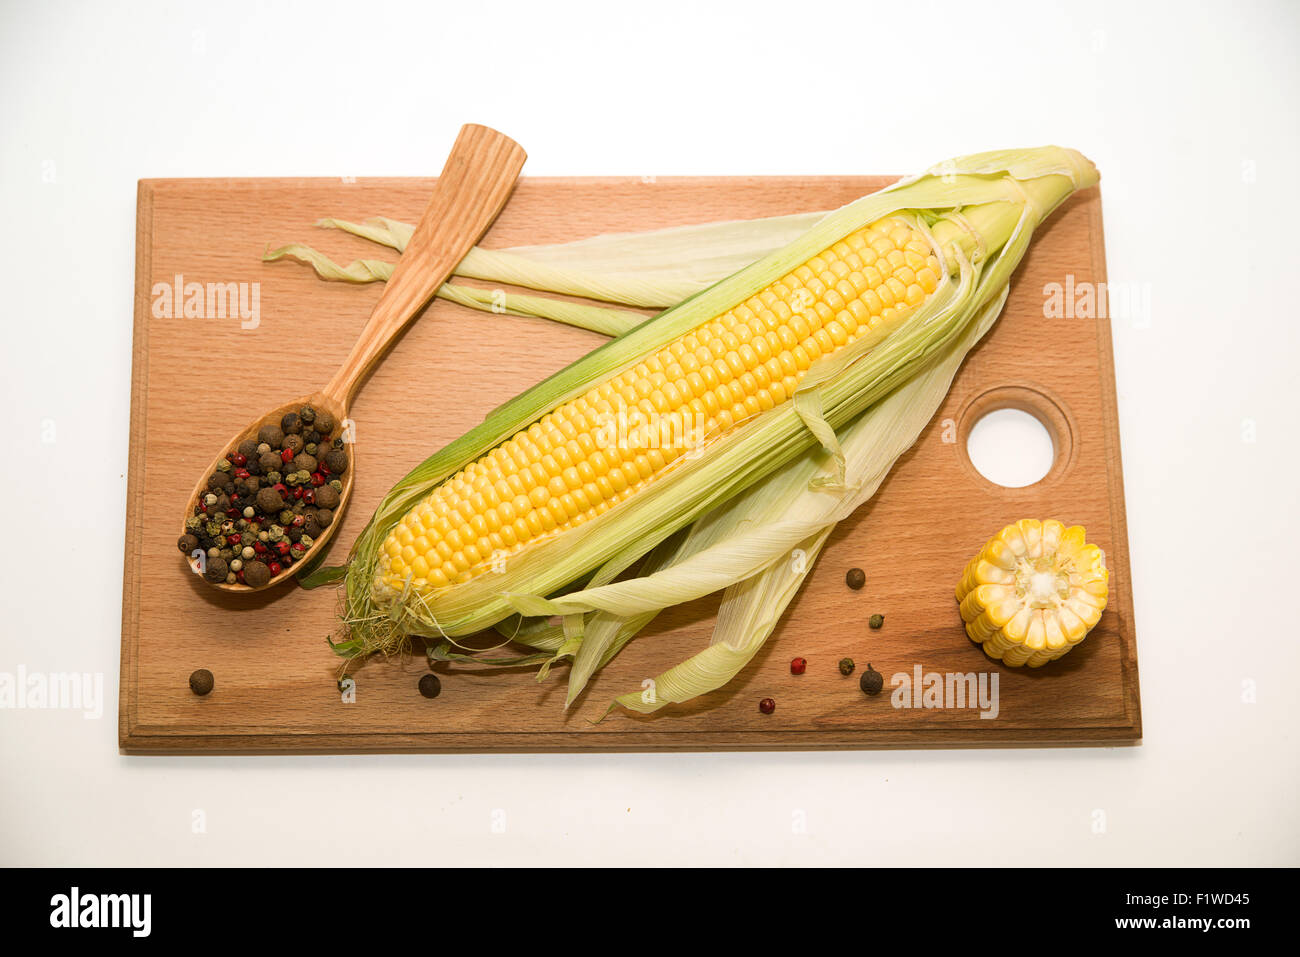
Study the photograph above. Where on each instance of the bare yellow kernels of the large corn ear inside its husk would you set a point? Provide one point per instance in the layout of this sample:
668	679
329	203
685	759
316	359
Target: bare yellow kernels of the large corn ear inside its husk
565	470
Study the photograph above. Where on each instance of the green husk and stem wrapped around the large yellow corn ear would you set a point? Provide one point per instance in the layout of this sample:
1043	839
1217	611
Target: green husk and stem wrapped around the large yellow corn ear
1002	200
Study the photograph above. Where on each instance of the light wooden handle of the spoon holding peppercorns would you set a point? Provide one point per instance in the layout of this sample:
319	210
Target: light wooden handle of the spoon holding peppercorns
475	185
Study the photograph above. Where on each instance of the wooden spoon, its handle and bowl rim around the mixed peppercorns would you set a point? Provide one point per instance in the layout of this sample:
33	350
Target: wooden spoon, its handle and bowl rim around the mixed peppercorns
475	184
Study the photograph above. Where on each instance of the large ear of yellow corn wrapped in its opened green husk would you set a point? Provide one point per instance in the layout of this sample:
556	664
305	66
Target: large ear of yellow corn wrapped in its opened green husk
798	347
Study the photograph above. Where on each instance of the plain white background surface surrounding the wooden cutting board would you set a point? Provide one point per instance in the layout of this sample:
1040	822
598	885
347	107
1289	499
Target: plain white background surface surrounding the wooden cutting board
1186	109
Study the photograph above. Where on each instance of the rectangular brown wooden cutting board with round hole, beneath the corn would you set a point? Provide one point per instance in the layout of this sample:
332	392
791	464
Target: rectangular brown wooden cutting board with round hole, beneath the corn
196	379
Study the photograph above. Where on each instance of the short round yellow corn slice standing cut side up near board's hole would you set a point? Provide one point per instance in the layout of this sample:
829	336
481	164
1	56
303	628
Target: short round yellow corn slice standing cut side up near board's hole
1034	592
